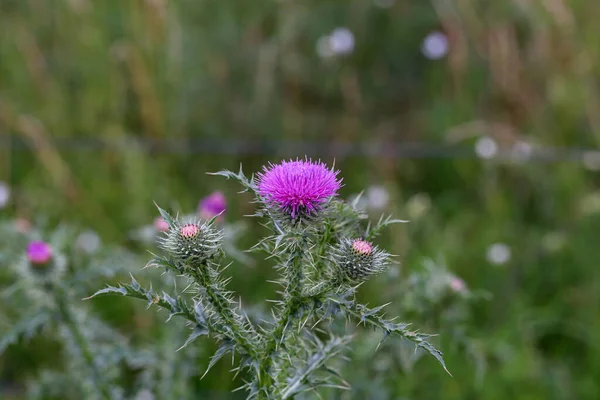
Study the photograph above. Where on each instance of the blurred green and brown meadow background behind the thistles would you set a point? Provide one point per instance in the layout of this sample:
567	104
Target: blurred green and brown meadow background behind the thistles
475	120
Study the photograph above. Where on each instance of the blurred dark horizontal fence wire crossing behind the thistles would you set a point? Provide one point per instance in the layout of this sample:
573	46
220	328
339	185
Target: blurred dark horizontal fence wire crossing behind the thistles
292	148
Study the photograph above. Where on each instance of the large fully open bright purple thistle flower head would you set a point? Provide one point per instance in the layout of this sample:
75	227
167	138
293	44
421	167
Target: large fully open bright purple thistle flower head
300	186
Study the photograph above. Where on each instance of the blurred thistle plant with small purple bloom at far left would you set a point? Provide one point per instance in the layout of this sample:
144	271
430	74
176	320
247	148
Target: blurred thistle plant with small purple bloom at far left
49	277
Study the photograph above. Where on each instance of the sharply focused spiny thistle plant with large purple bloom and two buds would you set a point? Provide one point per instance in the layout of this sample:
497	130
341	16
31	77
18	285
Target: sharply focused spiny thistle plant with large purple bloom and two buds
322	249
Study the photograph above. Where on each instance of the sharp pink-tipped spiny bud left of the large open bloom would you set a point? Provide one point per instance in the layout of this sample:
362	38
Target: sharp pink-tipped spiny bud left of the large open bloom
192	242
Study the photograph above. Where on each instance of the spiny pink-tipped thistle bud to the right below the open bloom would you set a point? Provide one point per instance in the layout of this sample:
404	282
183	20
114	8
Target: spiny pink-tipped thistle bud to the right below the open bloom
358	260
